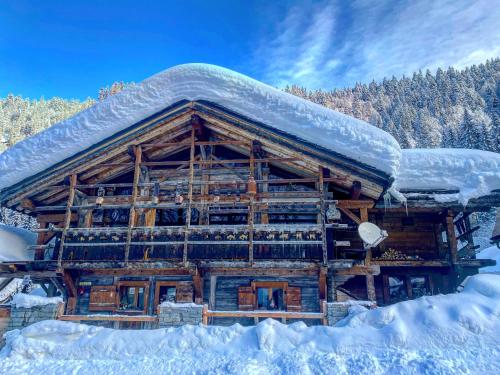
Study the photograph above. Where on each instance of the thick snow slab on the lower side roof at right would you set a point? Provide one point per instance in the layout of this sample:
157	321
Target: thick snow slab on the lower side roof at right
473	173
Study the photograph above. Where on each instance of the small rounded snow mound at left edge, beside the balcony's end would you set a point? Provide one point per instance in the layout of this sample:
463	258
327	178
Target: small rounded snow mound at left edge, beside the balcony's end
15	242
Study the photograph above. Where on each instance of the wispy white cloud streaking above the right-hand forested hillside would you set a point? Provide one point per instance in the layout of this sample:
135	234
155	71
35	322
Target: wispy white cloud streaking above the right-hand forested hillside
325	45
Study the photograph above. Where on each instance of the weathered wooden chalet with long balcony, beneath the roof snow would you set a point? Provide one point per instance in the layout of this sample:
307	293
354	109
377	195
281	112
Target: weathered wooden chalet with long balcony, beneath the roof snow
200	204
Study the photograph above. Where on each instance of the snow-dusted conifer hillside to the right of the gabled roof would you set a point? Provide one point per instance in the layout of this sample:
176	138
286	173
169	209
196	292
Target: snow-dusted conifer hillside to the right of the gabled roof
451	108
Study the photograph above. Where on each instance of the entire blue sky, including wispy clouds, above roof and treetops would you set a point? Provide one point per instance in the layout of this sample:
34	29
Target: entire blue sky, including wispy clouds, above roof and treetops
72	48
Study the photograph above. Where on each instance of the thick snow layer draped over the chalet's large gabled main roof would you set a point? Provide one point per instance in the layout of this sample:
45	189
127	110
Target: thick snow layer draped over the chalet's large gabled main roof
322	126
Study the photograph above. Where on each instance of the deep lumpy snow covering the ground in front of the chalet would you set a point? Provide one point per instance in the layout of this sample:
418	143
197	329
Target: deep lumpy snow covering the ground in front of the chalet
444	334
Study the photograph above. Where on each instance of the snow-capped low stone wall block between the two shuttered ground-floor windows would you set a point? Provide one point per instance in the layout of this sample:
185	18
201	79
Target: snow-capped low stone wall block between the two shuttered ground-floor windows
178	314
